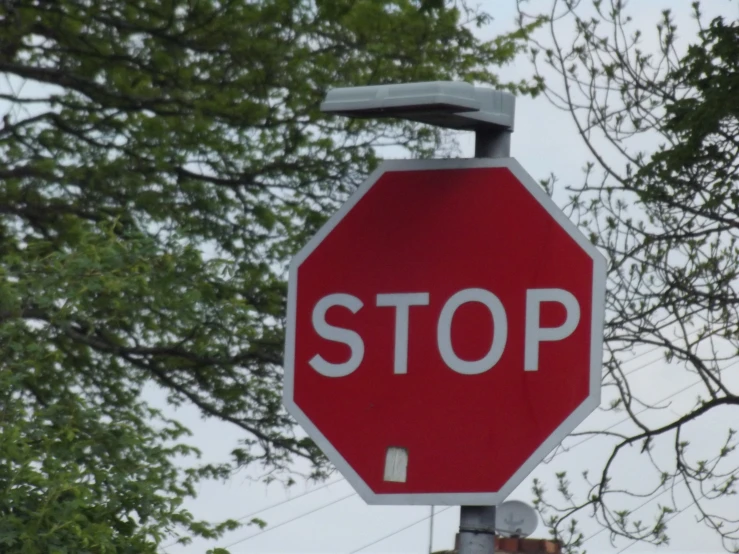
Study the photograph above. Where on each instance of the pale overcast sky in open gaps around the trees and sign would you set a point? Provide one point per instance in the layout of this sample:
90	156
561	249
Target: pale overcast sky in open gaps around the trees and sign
544	142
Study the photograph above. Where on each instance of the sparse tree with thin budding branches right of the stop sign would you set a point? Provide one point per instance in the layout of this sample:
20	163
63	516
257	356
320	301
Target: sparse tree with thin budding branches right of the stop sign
667	219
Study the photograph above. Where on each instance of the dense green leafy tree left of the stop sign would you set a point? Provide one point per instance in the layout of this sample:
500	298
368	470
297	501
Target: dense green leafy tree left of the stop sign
159	162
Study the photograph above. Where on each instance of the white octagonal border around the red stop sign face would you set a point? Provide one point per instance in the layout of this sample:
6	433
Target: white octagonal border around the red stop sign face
567	426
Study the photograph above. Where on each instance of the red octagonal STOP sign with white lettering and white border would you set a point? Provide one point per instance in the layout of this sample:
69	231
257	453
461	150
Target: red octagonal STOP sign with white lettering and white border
444	332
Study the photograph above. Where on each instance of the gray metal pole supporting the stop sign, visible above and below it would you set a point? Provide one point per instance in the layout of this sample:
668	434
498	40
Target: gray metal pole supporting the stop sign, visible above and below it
477	523
